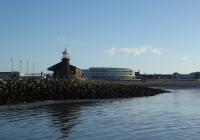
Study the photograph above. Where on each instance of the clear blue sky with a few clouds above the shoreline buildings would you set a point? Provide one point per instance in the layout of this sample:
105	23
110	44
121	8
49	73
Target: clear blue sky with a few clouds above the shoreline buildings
153	36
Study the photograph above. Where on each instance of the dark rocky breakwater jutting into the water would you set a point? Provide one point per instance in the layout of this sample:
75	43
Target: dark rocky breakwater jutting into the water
22	91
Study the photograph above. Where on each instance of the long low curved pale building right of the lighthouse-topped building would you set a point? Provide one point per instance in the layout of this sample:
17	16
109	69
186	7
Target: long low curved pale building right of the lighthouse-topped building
105	73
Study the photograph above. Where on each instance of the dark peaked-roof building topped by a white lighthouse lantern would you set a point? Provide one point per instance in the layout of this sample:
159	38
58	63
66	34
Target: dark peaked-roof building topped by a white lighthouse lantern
64	69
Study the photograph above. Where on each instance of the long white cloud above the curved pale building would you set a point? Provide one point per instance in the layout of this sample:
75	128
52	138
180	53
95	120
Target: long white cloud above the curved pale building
133	51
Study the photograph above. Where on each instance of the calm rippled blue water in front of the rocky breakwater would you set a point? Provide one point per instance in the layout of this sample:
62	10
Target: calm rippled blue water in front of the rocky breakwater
170	116
